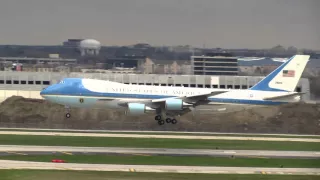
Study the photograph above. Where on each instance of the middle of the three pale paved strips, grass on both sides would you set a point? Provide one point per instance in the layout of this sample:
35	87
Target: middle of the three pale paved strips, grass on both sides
25	150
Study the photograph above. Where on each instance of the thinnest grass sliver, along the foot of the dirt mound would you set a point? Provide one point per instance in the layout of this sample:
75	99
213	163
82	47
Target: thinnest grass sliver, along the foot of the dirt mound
174	133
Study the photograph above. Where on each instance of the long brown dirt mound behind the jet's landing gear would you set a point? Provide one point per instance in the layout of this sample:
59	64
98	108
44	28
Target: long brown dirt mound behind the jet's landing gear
293	118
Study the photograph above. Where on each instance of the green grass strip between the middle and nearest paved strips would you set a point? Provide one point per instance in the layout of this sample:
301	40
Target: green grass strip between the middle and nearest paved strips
169	160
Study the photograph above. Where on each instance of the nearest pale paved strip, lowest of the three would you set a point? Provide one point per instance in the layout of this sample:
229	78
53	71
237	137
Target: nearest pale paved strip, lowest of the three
7	164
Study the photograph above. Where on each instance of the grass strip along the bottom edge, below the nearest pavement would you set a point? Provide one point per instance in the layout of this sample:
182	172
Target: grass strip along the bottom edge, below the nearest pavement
85	175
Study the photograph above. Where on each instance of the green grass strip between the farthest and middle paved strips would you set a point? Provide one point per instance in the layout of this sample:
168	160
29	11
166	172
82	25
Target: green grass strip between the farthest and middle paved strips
155	143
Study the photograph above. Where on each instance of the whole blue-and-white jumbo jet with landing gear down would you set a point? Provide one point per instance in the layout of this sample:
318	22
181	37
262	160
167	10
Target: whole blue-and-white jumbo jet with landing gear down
167	102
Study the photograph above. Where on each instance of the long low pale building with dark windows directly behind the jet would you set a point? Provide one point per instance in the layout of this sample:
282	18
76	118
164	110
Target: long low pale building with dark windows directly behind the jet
36	81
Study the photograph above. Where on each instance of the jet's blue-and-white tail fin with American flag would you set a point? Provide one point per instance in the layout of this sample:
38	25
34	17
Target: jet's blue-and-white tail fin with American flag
285	77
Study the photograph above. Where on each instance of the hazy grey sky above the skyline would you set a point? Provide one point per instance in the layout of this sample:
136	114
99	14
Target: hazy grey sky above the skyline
210	23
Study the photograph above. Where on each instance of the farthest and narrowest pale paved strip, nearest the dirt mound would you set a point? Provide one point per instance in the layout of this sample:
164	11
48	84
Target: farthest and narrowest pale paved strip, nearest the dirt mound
198	137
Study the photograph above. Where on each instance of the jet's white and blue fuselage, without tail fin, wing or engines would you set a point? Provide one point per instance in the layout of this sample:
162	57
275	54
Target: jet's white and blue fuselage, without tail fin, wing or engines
107	94
